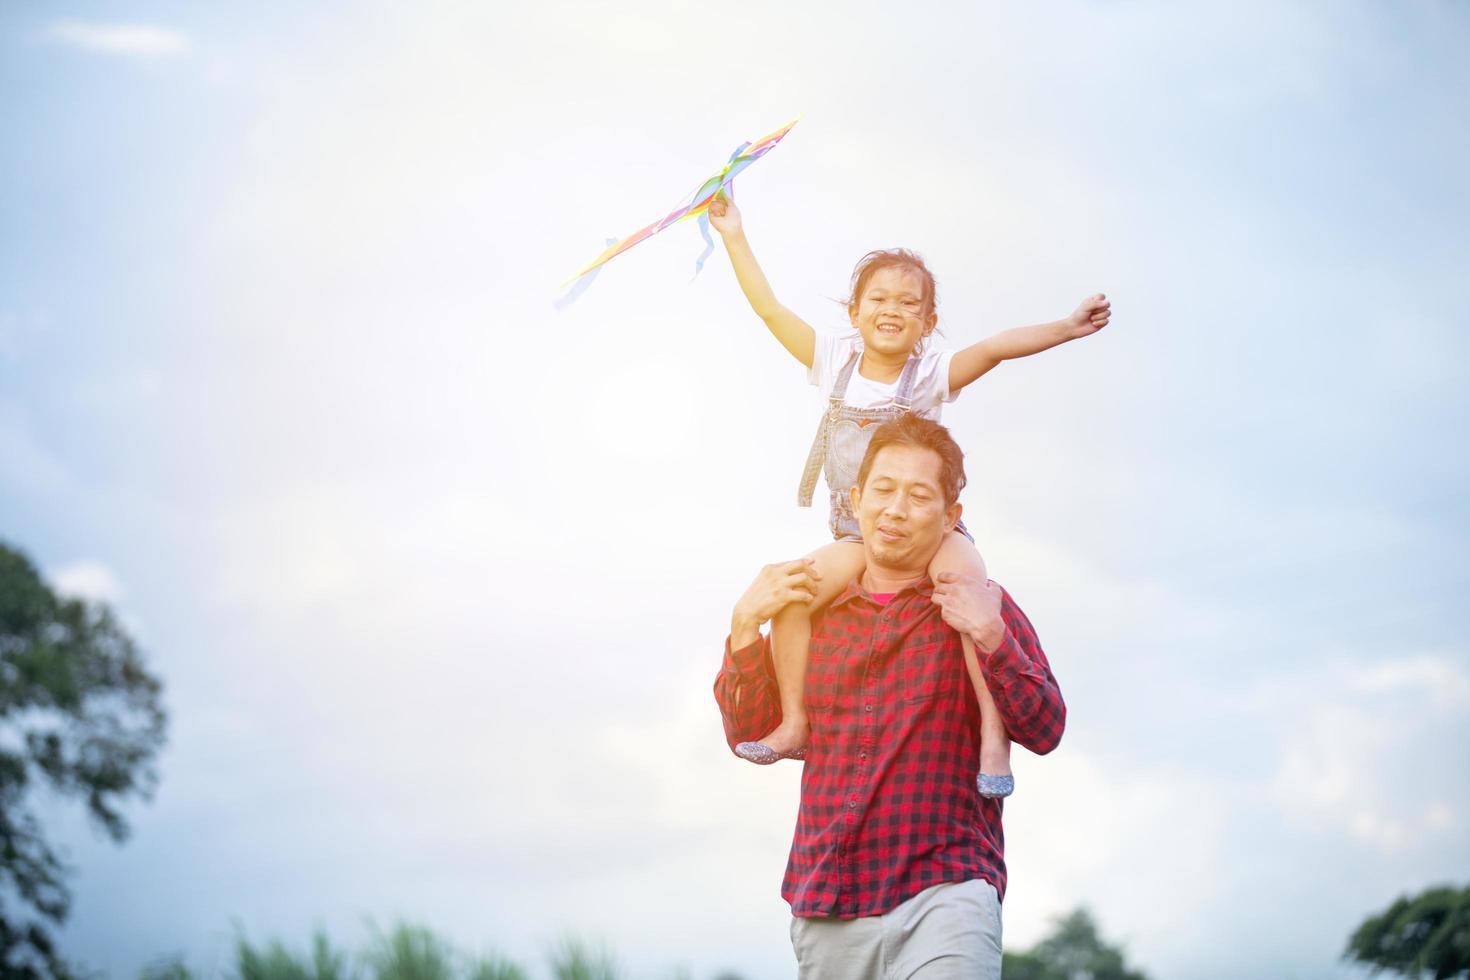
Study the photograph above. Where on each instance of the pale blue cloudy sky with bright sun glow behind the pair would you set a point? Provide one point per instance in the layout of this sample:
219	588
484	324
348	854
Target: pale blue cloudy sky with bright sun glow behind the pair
437	577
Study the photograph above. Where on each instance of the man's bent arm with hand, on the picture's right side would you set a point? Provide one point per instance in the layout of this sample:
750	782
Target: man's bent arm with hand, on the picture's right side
1012	662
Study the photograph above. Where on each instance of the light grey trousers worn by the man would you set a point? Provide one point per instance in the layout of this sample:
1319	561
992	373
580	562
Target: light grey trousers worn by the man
947	932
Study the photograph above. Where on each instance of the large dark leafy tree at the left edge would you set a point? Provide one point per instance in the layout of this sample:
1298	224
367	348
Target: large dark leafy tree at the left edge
80	715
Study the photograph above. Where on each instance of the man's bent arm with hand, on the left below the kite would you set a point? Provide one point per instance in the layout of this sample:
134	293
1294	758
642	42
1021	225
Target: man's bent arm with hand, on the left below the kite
746	688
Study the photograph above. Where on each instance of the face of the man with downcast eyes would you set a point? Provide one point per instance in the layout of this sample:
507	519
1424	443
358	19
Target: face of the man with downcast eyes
902	511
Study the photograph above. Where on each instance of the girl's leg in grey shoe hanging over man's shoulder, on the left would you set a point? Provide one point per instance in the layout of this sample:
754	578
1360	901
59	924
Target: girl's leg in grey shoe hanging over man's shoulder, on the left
837	565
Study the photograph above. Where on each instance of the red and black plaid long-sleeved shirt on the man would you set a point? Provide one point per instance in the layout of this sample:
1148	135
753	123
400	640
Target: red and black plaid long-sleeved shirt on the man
889	799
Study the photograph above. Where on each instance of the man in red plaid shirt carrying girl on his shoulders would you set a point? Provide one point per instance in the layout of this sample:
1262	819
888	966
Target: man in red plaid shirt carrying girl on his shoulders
897	868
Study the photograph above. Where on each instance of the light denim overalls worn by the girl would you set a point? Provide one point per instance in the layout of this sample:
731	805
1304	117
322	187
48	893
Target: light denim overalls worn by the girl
842	443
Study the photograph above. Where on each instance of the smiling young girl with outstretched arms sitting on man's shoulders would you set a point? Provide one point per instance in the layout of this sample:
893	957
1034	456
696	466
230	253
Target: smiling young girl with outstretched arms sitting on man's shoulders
875	375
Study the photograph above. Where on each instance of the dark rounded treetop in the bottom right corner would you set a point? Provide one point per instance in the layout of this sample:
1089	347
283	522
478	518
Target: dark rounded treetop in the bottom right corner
1424	935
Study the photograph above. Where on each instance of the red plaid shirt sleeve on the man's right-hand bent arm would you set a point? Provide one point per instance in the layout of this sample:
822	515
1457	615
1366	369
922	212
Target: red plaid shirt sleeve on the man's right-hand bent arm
1024	687
